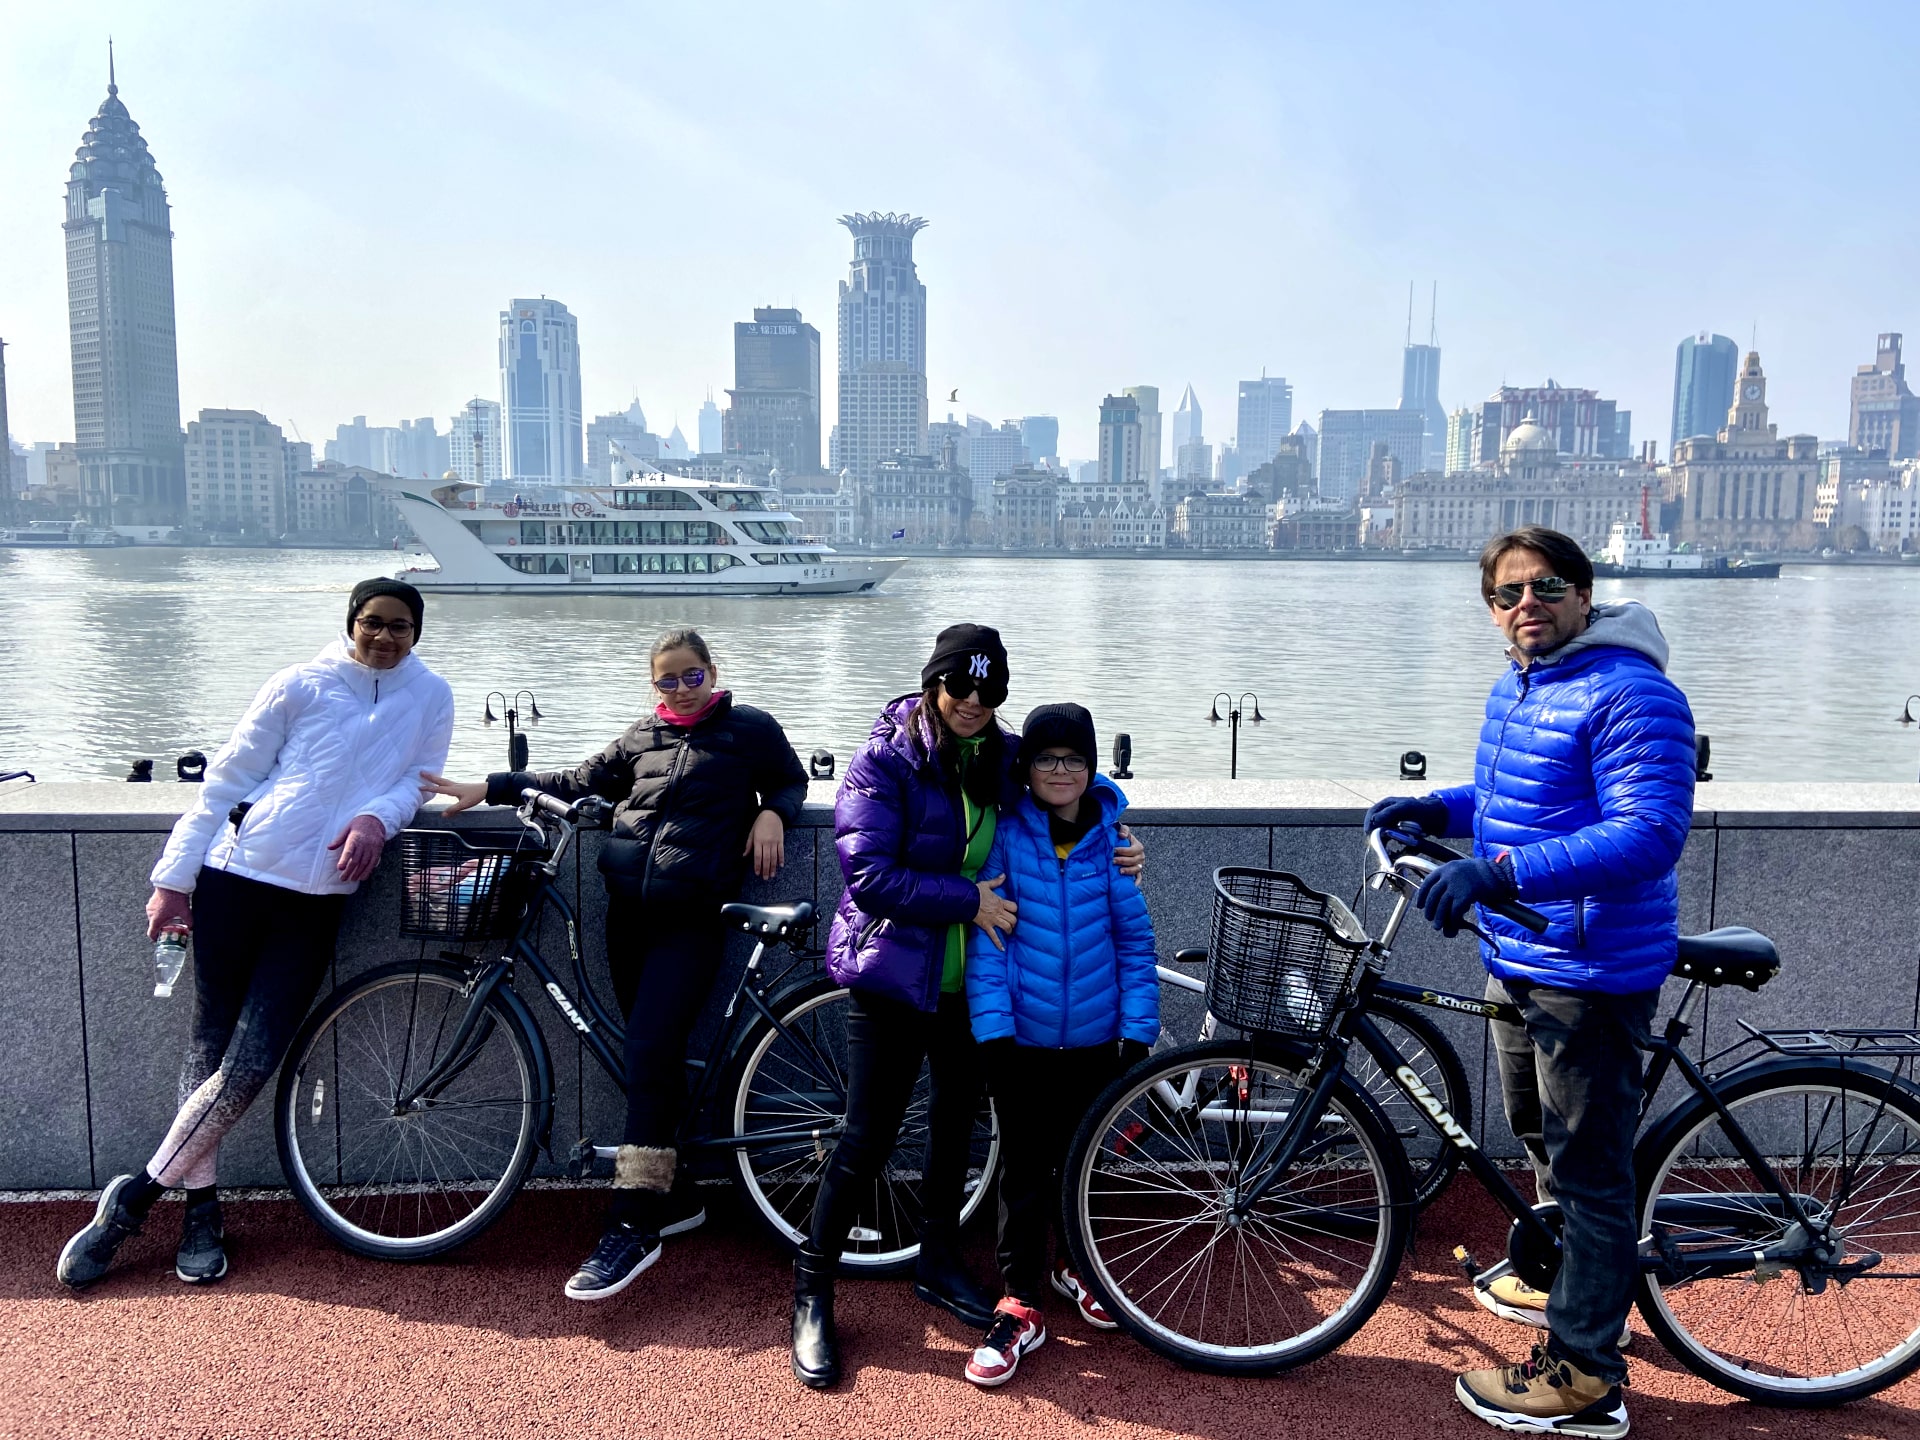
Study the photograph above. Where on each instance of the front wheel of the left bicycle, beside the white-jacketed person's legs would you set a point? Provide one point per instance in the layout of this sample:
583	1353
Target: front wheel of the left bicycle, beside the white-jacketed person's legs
406	1182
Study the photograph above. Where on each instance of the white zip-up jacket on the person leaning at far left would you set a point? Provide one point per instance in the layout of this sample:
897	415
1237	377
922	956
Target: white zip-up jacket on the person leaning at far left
322	744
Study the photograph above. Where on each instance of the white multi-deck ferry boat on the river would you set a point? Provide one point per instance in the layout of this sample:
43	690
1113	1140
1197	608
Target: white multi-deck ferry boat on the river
648	535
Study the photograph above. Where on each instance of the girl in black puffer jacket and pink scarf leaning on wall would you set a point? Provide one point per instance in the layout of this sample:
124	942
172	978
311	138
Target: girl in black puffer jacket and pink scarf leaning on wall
702	790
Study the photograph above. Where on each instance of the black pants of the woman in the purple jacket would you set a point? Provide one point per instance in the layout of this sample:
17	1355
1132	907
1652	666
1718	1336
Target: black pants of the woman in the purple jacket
886	1044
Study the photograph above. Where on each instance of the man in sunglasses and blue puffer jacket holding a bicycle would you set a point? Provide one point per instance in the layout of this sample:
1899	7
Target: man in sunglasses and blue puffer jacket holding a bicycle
1581	805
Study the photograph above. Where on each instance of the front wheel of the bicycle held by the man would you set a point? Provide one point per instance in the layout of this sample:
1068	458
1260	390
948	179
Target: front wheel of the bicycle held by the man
1153	1180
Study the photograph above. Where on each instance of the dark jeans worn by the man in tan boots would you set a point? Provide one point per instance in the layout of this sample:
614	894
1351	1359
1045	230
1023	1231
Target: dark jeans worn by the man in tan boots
1572	1086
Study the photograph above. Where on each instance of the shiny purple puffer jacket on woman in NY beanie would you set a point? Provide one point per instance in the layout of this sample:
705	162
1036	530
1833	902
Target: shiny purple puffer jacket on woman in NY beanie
900	832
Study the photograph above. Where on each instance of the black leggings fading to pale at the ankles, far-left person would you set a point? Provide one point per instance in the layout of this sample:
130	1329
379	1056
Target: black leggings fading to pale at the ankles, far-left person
260	957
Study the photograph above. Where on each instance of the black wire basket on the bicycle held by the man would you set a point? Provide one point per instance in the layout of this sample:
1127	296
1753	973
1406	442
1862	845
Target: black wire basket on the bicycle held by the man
1282	953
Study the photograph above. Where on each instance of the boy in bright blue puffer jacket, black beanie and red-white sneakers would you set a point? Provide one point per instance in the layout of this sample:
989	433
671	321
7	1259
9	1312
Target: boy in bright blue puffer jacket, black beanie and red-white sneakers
1059	1013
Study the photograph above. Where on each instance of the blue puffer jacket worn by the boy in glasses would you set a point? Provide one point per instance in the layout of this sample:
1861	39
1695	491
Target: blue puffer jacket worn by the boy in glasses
1080	967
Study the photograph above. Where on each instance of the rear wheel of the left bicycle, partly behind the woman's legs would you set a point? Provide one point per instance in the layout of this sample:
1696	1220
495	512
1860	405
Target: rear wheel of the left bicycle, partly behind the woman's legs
788	1116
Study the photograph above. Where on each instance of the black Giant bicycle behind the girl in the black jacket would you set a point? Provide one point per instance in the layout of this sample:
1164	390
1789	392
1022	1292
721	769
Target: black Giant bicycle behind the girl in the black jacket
418	1097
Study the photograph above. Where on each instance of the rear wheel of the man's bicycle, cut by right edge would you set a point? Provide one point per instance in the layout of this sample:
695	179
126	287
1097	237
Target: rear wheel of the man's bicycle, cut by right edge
1788	1332
